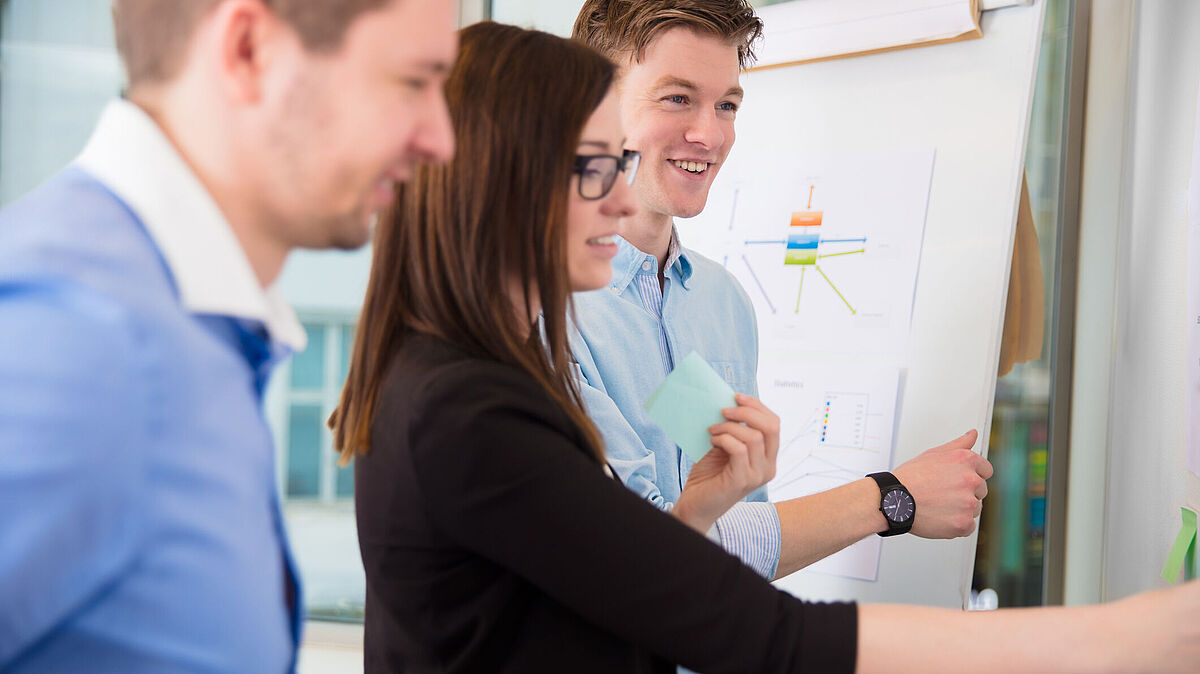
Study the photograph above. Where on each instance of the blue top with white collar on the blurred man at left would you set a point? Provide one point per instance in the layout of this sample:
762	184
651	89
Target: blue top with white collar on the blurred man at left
142	528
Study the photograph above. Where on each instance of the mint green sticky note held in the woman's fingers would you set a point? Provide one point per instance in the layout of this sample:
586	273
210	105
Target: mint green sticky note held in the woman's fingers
688	402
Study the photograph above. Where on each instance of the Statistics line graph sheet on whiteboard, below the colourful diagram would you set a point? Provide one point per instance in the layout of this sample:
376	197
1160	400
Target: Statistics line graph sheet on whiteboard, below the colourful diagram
836	428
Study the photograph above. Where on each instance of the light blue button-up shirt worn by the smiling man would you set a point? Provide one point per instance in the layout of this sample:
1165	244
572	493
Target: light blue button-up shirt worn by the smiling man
629	336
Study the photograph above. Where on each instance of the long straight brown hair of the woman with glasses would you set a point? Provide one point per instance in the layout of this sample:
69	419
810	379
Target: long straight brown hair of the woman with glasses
460	236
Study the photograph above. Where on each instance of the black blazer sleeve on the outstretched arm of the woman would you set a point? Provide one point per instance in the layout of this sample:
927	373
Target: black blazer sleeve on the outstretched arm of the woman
505	477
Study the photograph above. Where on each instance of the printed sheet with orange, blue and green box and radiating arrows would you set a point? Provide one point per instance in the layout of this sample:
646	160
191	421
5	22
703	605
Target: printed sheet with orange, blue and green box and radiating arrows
827	249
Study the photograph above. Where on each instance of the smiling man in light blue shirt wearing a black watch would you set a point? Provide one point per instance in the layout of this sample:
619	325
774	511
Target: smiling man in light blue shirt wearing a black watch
680	94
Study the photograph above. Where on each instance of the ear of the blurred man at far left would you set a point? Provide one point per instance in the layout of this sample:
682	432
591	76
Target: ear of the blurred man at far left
249	37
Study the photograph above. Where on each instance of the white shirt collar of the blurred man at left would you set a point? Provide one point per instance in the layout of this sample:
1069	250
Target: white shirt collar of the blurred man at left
134	159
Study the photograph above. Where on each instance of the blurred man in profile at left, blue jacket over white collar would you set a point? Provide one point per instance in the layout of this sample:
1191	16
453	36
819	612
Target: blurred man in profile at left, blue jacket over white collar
139	323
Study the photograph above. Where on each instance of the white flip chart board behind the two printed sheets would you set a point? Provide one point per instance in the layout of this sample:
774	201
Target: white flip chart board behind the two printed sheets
971	103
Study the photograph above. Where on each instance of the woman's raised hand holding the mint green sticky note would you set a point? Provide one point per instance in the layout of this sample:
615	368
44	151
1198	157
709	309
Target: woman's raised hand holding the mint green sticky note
742	460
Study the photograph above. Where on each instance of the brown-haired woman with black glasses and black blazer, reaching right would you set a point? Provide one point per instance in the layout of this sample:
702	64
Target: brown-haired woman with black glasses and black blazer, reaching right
493	534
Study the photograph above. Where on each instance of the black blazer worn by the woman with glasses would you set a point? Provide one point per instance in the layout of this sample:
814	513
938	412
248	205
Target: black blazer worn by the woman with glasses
494	541
